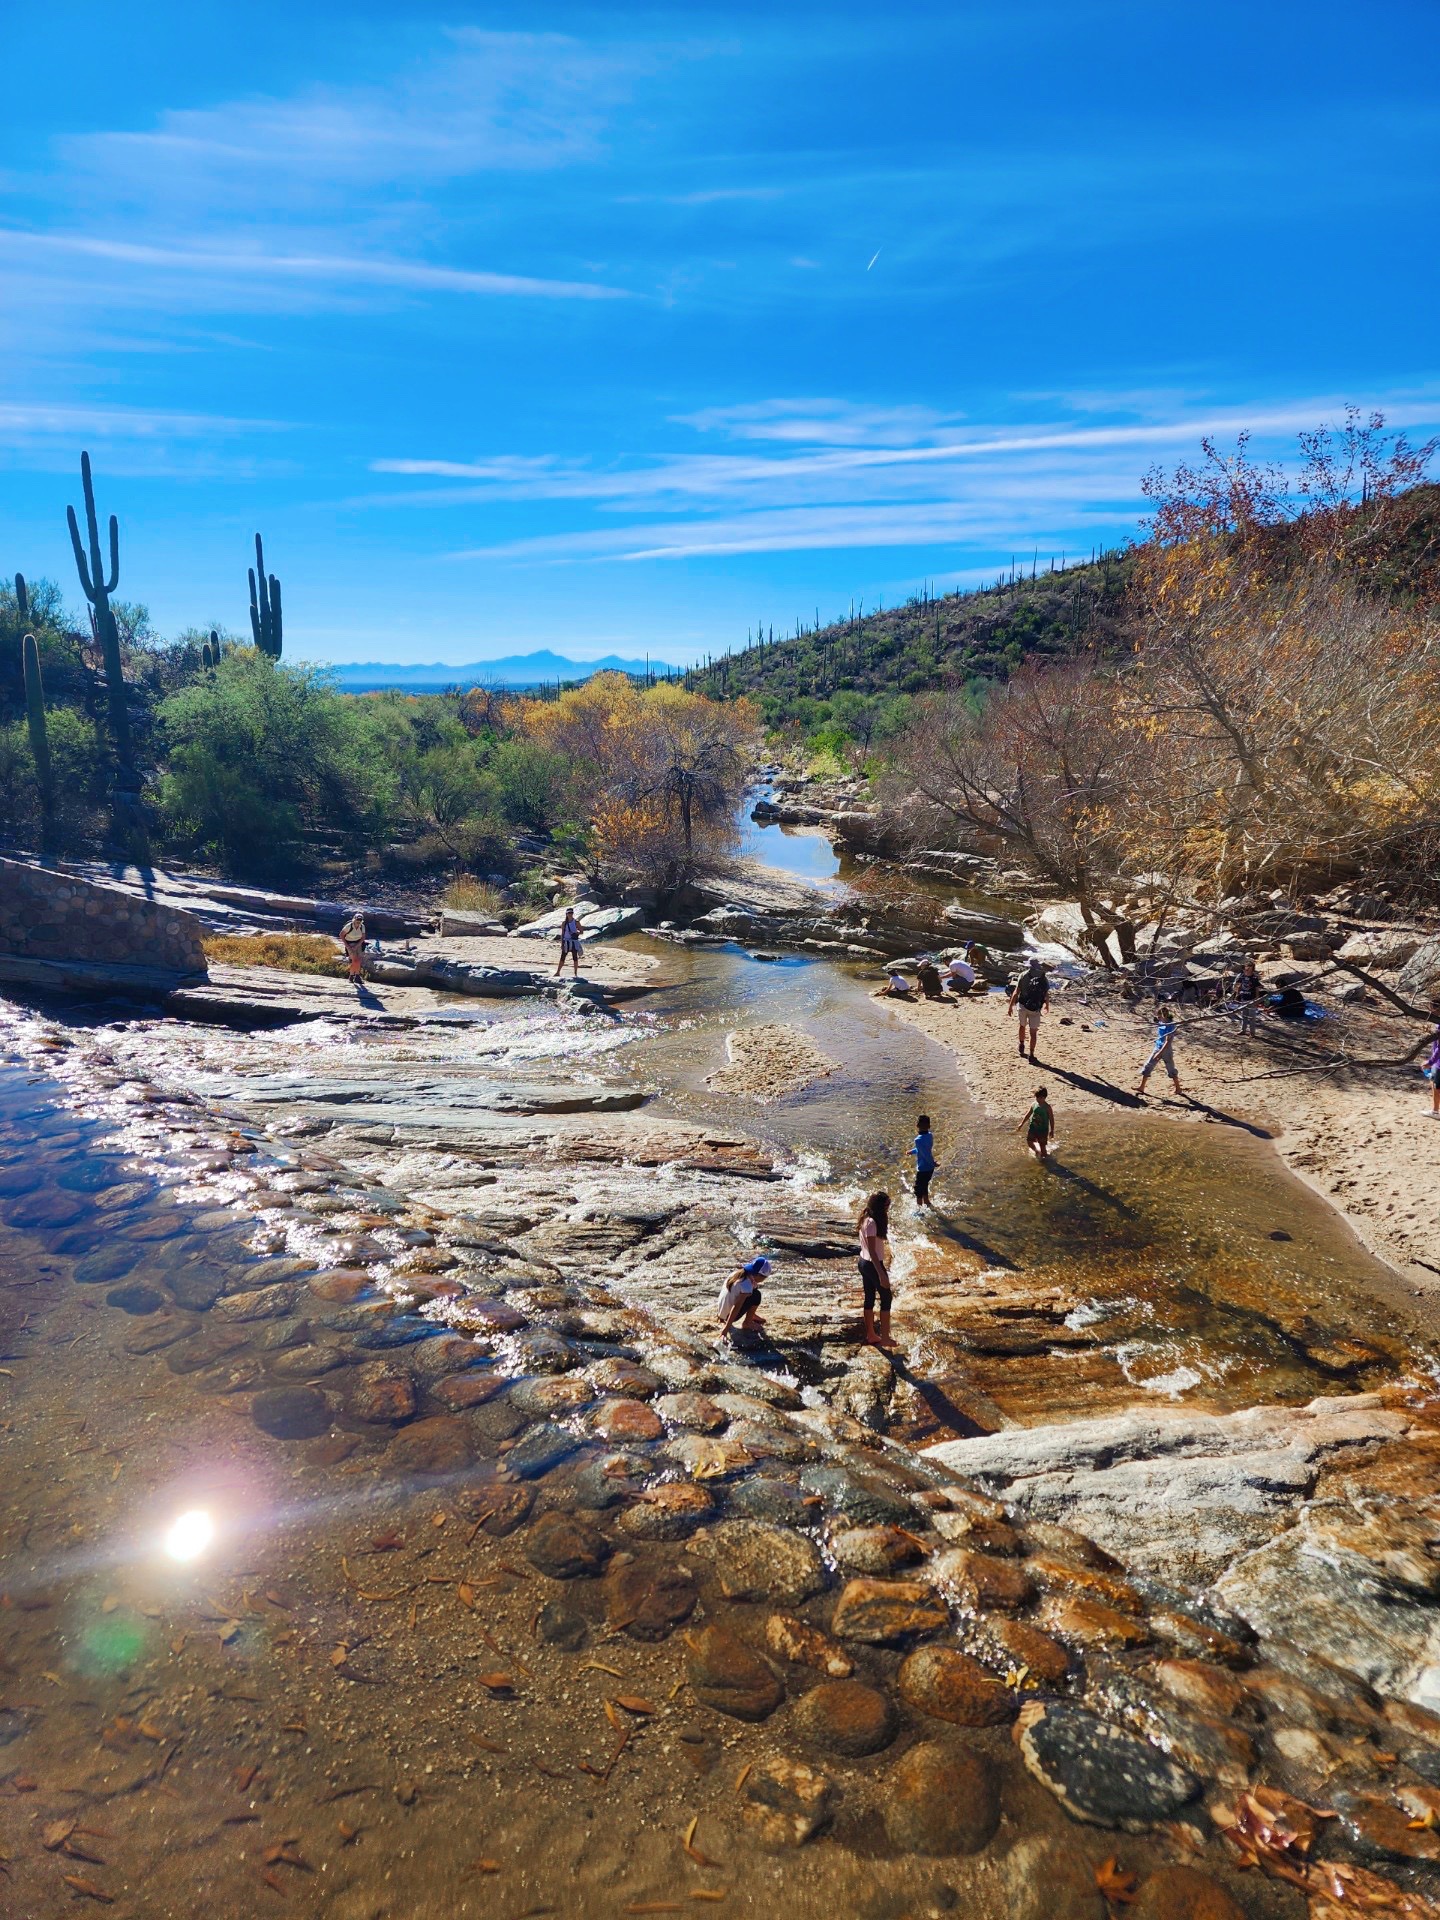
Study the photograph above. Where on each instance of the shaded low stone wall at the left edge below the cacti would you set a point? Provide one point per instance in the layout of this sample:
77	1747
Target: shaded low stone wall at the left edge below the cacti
59	917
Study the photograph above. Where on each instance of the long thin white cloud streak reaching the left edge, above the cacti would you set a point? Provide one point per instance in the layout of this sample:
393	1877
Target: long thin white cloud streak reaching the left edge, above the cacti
324	268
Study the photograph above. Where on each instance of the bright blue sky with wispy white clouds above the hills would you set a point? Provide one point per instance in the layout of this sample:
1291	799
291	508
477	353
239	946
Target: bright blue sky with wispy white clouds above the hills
617	329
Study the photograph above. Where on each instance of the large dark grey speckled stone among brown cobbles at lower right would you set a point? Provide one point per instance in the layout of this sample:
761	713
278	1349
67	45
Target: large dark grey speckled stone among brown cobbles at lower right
1101	1773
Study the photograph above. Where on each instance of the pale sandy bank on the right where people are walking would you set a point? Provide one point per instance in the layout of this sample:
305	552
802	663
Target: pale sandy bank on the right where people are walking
1362	1140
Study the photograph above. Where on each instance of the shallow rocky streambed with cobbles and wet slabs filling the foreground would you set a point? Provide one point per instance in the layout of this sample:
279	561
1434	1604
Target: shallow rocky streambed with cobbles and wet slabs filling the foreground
523	1596
